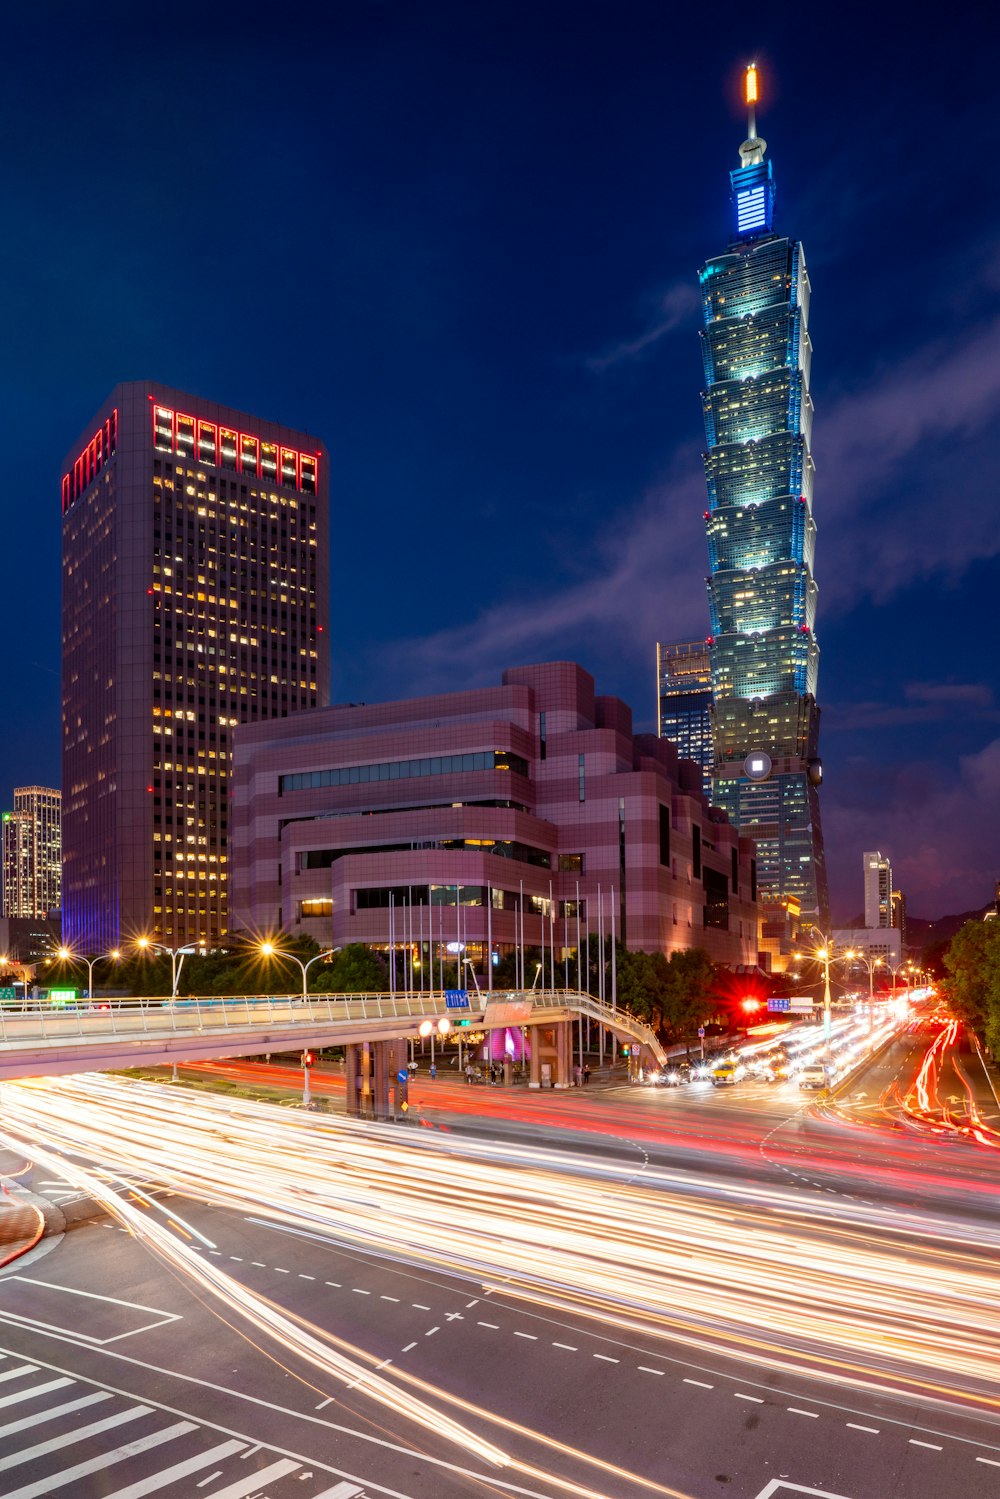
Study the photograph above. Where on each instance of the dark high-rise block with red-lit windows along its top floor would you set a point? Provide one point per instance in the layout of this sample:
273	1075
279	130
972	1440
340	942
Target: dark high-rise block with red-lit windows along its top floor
196	597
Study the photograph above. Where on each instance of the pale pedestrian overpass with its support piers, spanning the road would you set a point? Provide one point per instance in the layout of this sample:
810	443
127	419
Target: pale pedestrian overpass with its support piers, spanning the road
374	1029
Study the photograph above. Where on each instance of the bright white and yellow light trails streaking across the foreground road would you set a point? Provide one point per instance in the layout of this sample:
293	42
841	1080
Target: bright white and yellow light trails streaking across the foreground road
849	1294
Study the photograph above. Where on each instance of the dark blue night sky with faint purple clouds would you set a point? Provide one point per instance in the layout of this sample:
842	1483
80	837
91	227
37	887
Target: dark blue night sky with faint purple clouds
461	244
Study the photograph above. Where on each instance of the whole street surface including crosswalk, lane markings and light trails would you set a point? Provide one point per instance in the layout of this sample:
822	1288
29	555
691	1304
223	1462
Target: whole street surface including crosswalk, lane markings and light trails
723	1353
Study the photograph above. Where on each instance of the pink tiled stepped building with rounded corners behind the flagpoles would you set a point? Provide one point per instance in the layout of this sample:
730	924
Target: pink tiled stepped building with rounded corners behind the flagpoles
507	818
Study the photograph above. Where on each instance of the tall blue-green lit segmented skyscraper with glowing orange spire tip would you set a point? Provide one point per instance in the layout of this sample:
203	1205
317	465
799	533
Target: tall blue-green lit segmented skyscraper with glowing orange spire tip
762	539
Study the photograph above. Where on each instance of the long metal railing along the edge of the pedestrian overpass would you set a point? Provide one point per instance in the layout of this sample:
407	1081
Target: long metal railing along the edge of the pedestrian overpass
160	1017
